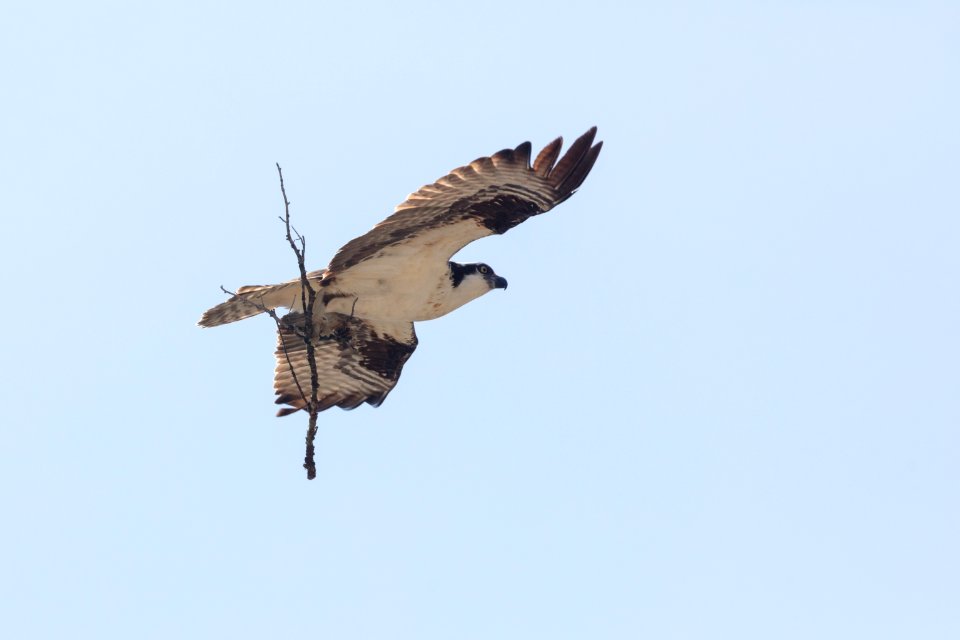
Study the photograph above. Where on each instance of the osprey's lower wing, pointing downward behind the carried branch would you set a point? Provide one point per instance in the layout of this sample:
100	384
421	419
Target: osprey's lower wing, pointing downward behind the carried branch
357	361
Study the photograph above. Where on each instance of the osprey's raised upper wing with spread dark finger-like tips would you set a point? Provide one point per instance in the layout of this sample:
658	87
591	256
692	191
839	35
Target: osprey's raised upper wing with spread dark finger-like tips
488	196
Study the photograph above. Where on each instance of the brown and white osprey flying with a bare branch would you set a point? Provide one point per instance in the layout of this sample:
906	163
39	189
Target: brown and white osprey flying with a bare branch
400	272
